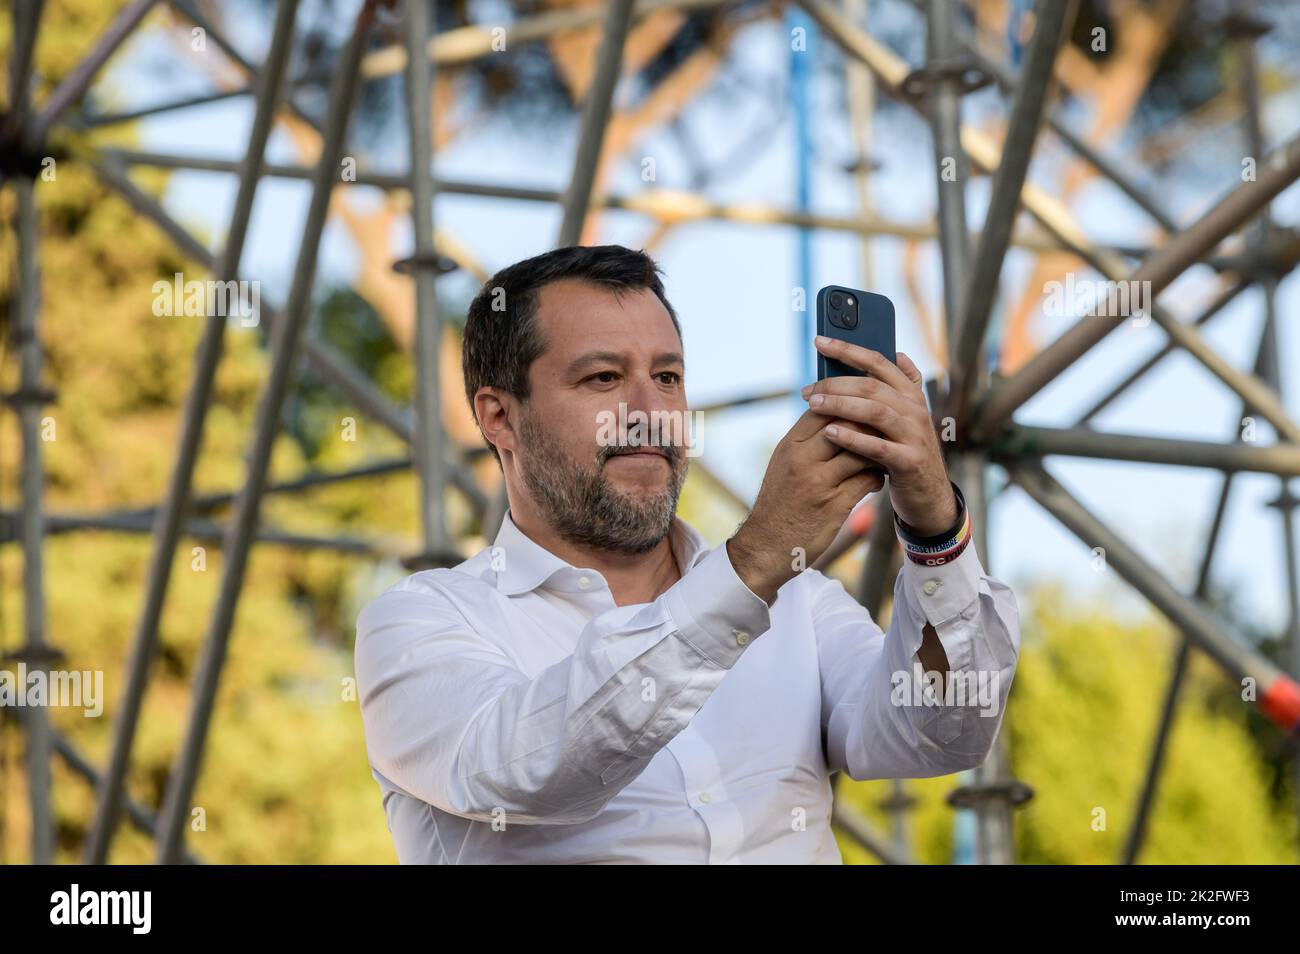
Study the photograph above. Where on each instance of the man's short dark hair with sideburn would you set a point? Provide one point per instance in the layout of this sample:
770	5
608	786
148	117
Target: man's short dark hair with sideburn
502	336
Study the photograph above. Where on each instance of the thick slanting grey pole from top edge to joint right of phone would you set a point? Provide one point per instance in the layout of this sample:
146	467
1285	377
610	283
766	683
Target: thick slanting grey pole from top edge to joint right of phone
1051	23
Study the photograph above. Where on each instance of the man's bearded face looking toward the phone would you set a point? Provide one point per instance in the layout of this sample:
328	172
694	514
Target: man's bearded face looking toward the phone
603	352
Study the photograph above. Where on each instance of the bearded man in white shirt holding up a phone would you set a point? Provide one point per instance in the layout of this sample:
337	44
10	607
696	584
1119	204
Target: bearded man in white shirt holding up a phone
603	687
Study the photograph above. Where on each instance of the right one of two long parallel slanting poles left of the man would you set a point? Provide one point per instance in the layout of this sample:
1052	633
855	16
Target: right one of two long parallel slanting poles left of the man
288	332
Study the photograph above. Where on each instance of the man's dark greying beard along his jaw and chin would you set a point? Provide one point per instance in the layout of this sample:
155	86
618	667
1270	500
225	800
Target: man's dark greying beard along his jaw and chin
584	509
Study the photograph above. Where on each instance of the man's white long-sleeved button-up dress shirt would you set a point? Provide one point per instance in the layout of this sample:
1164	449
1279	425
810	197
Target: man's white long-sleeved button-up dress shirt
515	714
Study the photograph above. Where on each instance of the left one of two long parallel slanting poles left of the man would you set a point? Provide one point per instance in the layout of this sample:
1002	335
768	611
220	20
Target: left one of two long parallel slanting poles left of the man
171	517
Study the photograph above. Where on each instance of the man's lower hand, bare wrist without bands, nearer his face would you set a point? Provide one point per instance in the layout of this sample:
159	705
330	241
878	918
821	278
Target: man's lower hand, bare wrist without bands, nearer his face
808	492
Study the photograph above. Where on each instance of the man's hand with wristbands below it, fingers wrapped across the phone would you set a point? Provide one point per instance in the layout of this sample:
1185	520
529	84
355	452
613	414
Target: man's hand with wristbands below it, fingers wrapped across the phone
892	428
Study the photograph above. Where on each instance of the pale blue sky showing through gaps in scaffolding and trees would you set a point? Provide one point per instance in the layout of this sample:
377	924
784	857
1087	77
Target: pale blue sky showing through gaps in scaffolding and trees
731	284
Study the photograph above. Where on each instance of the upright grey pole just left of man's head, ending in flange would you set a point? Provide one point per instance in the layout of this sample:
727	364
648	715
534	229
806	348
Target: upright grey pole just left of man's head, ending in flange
439	550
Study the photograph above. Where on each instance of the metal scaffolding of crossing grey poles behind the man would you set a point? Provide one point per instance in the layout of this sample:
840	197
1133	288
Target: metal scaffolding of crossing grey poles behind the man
983	406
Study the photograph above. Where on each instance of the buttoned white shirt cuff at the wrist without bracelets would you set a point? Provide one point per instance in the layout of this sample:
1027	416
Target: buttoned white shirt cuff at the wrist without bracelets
716	612
